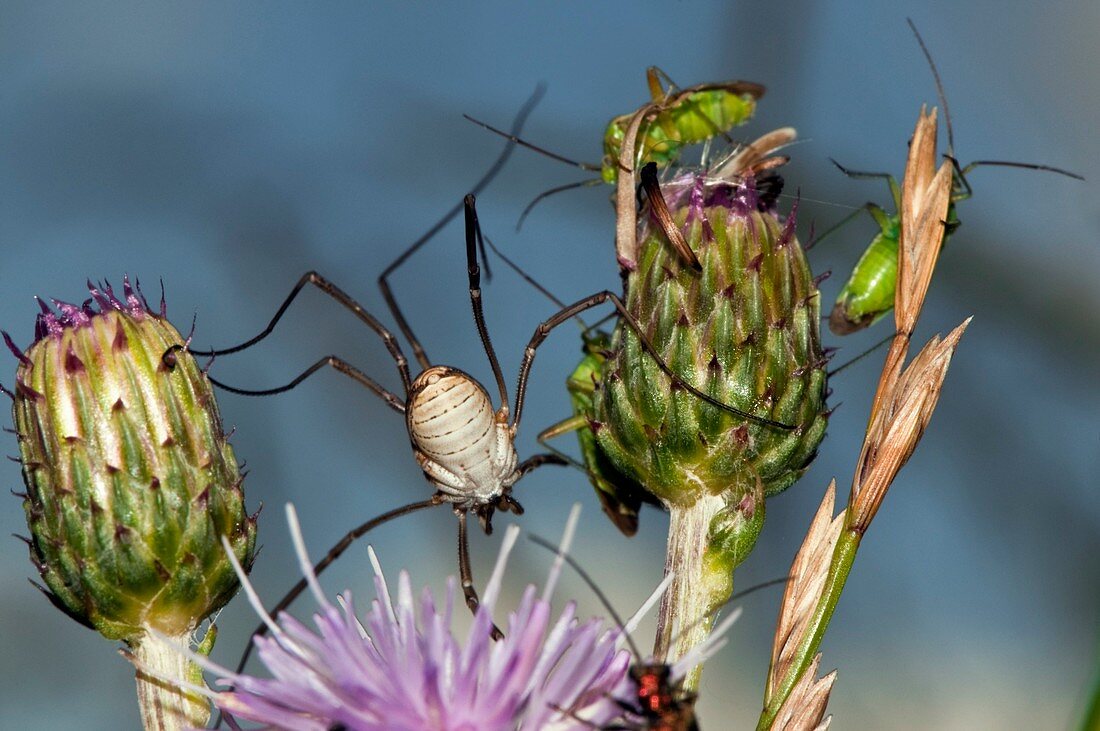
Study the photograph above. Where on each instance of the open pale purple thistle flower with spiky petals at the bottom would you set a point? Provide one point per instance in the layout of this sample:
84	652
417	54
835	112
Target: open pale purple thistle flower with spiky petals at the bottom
402	668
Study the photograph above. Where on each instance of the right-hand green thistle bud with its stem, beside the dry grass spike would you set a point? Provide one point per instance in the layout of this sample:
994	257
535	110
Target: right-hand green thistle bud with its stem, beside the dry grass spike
744	329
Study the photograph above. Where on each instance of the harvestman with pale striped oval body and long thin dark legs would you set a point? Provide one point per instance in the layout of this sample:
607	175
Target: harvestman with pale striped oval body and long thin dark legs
465	447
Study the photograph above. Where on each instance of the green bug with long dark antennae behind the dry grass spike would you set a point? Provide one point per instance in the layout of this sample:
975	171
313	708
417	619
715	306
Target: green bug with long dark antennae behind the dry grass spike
868	295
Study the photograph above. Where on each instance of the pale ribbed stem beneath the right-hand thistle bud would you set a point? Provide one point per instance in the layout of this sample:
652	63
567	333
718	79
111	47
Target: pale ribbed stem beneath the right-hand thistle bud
686	616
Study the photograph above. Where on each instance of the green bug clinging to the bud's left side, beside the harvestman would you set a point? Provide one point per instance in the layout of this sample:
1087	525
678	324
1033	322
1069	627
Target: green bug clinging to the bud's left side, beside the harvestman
620	496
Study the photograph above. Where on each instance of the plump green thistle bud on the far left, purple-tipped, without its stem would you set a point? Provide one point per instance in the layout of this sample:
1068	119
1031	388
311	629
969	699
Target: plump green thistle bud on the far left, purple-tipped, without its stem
130	481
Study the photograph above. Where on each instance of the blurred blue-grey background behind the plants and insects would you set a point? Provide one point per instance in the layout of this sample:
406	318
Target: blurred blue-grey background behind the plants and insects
230	148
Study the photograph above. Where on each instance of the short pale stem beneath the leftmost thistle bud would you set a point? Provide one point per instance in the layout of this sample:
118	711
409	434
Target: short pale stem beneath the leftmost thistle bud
164	707
